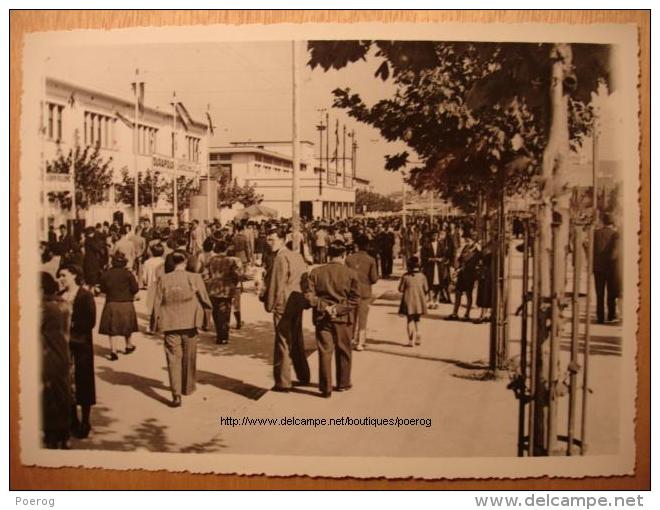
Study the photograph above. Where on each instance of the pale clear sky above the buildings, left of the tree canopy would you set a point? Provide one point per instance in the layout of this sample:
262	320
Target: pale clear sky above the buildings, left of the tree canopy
248	86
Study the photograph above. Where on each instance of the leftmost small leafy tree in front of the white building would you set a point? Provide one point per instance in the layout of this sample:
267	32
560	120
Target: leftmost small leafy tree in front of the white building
93	176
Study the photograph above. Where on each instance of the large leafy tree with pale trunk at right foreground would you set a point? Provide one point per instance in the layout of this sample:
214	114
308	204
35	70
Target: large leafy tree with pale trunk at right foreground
489	118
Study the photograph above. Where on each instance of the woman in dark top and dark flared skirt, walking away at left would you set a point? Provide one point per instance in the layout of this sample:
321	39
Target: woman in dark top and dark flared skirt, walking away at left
118	317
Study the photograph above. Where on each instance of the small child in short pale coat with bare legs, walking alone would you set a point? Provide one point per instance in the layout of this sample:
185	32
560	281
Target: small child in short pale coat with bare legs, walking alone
414	287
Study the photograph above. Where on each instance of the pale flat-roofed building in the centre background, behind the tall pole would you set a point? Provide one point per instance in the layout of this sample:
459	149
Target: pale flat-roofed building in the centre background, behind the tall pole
268	166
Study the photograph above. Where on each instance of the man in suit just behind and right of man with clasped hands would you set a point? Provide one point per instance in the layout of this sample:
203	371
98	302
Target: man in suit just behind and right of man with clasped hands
367	271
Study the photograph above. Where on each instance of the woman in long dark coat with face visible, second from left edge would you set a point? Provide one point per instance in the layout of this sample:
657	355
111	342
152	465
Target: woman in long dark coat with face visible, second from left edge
83	320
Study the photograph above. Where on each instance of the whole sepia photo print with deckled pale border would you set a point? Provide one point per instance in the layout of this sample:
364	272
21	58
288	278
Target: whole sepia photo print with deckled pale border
369	251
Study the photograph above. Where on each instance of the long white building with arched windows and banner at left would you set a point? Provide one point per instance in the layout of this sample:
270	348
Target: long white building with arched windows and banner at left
168	142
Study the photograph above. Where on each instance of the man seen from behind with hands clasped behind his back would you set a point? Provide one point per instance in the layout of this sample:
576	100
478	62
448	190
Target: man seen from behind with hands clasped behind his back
332	290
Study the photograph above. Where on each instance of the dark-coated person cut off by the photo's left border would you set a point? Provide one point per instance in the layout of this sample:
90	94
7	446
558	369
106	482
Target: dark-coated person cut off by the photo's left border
55	366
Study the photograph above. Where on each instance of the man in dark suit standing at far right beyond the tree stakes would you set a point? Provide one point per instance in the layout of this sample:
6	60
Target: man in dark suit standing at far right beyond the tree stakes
606	253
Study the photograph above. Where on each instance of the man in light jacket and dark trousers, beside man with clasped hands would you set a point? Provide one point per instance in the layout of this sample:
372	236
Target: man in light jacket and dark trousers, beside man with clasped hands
283	297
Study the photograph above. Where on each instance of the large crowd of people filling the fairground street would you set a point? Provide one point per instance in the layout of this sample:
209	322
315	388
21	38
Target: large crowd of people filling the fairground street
193	276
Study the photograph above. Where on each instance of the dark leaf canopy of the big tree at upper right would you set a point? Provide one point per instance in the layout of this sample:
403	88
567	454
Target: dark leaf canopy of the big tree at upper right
475	114
